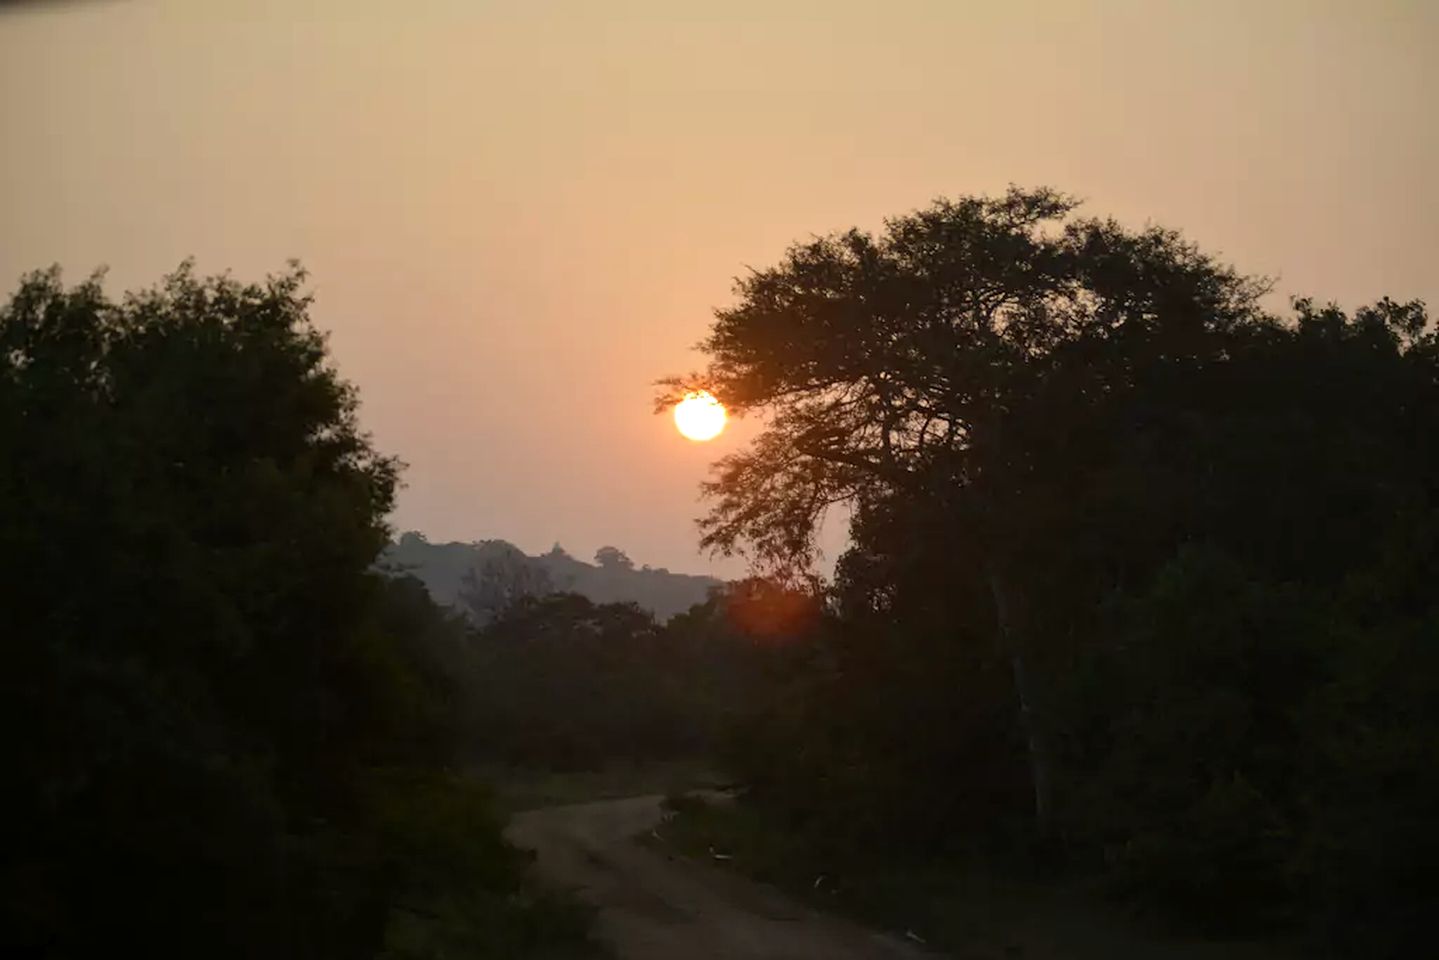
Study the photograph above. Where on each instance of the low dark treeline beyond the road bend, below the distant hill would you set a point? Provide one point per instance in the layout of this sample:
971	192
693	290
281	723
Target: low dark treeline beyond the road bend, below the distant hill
566	684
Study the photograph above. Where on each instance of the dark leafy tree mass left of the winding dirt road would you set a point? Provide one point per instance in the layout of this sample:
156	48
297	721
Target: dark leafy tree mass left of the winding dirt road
227	735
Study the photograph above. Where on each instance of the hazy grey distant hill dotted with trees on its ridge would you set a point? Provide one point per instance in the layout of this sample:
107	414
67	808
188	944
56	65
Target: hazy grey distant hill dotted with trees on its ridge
442	568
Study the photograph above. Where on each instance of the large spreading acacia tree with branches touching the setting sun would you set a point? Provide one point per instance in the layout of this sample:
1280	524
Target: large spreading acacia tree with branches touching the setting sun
946	362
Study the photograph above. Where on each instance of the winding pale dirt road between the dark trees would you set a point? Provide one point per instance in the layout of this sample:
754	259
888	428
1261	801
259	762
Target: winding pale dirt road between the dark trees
657	907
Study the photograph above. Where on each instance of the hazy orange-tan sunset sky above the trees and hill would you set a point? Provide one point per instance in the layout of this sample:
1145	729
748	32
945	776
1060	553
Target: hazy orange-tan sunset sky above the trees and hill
520	214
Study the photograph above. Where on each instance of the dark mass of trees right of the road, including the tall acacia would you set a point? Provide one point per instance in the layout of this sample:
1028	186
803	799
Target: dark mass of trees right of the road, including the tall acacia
1143	575
